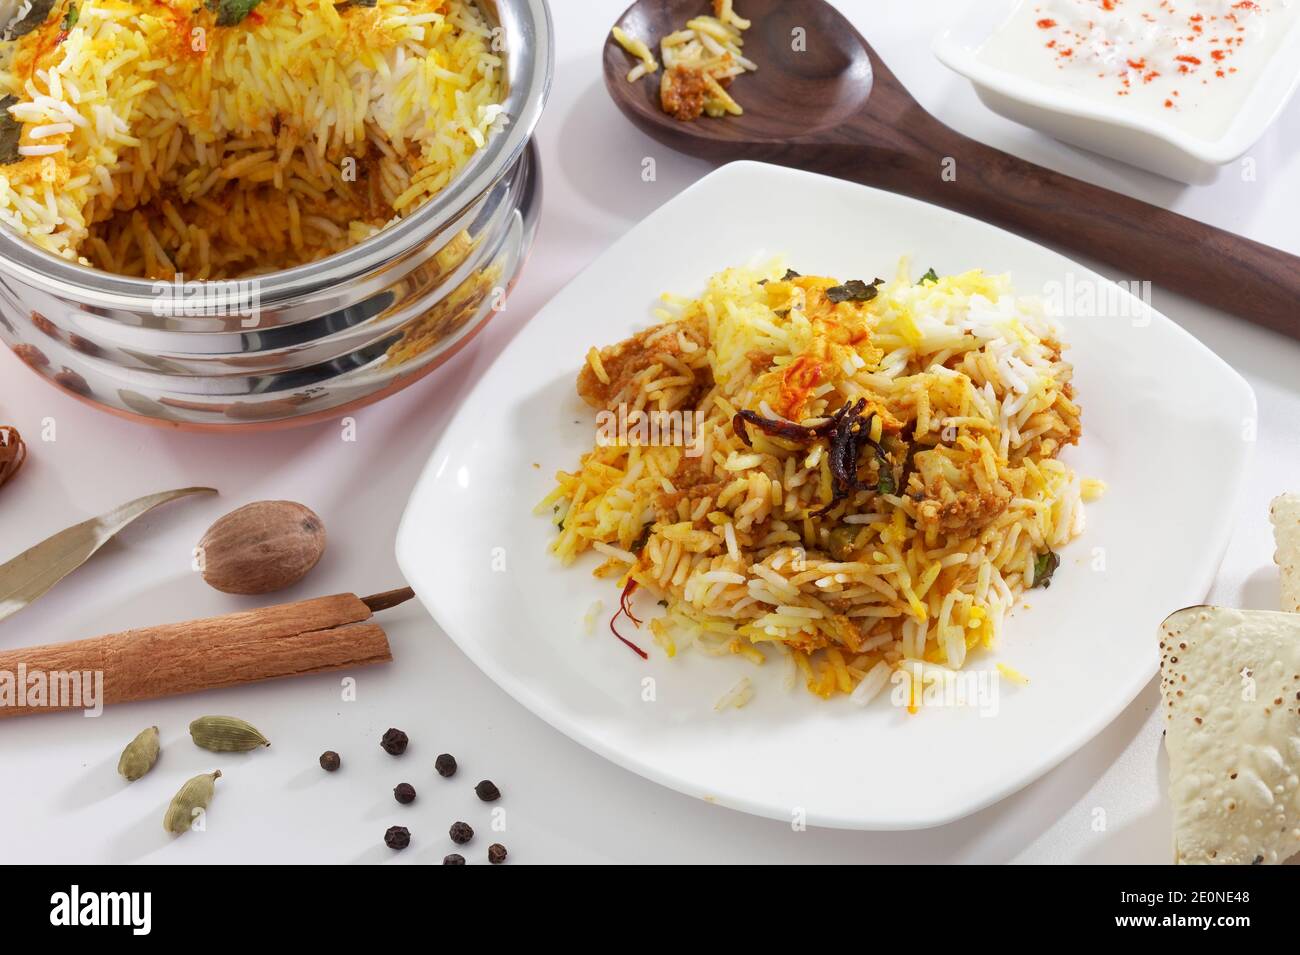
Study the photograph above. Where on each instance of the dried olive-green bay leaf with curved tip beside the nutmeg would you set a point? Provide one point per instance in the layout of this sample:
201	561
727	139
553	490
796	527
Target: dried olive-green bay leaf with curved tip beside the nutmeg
37	570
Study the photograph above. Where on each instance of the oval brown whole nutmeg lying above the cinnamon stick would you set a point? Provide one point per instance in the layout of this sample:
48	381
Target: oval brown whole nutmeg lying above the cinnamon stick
262	548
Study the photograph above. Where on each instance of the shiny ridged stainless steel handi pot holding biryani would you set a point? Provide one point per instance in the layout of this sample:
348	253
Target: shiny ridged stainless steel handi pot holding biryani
310	342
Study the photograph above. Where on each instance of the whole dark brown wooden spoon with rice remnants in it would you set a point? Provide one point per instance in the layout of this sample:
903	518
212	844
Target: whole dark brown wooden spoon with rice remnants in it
835	108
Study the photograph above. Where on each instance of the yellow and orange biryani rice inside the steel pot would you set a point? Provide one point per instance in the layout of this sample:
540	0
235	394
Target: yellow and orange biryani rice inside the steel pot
155	142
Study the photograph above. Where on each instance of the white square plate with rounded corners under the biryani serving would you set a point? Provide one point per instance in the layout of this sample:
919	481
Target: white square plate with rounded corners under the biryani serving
1165	426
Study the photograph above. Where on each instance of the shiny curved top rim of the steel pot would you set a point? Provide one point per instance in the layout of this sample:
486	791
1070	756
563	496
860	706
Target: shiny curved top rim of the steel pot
530	68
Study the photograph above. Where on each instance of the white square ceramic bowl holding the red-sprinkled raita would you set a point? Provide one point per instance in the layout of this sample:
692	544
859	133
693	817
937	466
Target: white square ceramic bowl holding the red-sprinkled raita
1108	129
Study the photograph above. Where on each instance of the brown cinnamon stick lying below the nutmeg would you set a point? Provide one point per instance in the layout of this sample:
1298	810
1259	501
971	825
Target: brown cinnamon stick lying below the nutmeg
292	640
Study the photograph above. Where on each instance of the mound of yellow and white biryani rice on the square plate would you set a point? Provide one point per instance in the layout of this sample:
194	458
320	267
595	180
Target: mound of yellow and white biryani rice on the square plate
968	394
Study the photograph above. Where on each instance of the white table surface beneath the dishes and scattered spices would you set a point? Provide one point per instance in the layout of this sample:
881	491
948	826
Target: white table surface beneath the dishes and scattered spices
62	800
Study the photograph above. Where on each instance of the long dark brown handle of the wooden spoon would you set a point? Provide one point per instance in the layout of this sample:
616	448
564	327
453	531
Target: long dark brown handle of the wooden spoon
909	153
